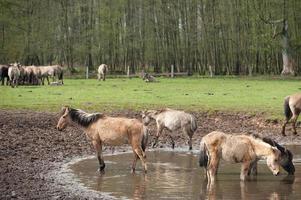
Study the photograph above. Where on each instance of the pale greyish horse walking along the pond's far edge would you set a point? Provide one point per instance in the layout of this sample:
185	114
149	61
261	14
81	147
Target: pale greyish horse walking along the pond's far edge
171	120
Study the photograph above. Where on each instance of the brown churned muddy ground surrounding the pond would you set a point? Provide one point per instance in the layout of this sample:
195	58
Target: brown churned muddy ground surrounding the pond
31	147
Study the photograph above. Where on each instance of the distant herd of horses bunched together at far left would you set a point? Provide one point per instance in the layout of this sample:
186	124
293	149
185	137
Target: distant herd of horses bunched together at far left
17	74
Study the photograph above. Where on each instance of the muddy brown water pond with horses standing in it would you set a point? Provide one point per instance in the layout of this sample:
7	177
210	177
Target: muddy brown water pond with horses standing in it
176	175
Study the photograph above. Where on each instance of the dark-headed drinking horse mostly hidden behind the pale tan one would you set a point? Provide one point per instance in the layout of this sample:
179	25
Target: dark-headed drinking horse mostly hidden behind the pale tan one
285	161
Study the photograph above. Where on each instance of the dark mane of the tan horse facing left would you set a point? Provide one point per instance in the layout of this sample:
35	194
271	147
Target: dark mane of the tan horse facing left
83	118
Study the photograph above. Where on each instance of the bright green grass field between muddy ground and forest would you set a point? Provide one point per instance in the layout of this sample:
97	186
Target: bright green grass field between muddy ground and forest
252	95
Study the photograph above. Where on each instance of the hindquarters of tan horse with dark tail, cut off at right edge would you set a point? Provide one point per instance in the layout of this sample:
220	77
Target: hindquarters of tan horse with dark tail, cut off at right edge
292	109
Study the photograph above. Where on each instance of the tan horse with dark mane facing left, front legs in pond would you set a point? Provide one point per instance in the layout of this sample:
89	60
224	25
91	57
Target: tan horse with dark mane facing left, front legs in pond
114	131
